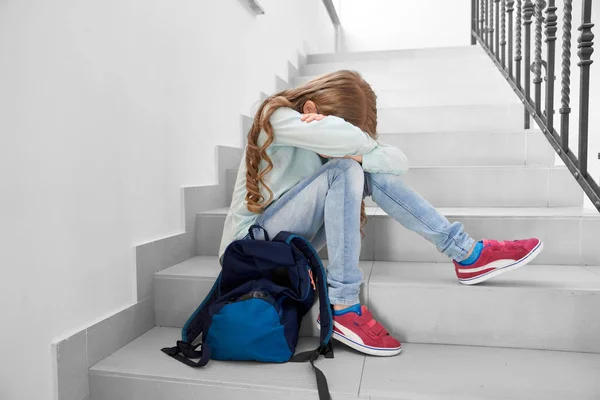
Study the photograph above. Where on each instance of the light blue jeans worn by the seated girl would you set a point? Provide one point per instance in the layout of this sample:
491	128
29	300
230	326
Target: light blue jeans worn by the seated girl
327	205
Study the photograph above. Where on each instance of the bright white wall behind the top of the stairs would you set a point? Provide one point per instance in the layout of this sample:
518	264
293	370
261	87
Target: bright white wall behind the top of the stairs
403	24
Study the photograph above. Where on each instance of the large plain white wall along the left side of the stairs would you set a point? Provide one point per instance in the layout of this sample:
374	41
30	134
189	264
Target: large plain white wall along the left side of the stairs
107	109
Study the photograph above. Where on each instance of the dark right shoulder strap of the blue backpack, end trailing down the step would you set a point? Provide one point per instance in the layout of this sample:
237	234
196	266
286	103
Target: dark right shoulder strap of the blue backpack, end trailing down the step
326	315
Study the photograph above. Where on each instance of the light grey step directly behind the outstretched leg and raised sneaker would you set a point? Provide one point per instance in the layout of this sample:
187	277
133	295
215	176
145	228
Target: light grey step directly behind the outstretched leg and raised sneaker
566	231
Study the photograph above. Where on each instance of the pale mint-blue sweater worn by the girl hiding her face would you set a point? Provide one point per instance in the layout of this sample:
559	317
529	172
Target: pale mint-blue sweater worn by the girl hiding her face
294	153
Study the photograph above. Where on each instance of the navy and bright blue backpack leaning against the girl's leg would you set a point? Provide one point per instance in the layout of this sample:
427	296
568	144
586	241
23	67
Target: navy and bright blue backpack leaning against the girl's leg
254	309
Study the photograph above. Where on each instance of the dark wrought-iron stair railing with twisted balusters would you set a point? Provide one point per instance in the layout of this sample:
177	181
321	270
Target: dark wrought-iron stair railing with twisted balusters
489	28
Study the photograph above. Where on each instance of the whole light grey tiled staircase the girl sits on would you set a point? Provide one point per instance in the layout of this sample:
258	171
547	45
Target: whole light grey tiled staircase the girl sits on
530	334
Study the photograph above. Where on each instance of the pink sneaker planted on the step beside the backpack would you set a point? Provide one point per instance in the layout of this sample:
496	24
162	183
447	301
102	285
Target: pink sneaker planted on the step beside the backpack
358	329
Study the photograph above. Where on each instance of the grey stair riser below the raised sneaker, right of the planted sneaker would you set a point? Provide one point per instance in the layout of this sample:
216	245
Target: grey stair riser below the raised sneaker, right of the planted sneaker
490	316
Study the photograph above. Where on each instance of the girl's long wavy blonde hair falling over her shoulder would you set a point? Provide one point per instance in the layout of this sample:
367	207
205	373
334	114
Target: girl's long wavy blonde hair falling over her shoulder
344	94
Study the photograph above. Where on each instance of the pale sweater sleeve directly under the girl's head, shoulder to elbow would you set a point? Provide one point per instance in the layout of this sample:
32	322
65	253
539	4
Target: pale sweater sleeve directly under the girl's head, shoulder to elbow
332	136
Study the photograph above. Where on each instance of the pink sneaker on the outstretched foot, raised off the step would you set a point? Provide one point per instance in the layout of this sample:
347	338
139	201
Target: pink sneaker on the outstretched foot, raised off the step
497	258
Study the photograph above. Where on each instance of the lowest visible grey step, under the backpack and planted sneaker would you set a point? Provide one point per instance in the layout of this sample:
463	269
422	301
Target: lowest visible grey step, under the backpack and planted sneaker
139	371
